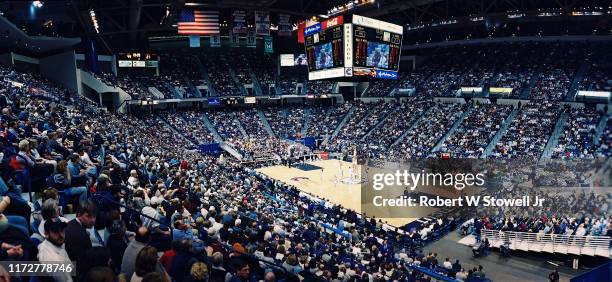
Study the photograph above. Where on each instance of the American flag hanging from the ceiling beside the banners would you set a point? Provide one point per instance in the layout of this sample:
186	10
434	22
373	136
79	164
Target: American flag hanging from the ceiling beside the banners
198	22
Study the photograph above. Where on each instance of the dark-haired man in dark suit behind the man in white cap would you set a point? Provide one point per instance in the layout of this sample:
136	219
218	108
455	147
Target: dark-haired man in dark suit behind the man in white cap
77	237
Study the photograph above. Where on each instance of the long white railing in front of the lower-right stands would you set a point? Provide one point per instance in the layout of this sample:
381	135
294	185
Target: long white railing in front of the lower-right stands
550	243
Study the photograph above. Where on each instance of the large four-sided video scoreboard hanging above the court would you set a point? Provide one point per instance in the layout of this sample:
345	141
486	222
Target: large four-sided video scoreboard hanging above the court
364	47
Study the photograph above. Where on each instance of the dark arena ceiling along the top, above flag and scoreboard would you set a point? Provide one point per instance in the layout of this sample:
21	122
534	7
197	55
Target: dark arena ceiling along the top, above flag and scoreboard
127	23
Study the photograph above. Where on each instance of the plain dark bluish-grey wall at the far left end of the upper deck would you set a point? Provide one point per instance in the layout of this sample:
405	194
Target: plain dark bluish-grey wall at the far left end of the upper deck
61	68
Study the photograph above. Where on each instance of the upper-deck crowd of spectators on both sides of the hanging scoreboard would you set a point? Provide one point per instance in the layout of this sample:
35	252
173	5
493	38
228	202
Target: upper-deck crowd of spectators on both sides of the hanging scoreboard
552	66
